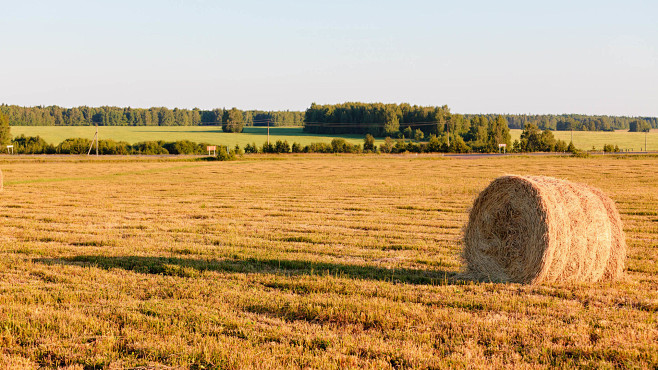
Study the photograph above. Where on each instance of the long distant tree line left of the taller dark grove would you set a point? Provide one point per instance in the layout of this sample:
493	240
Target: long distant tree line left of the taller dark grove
155	116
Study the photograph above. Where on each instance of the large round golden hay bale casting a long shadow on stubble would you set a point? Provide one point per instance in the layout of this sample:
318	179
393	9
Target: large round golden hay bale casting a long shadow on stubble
536	229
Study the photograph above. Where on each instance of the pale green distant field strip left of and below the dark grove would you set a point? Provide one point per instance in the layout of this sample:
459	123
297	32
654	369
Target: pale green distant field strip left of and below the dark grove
200	134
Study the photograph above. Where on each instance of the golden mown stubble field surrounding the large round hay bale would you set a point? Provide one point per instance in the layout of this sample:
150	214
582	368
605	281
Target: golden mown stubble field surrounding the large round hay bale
300	262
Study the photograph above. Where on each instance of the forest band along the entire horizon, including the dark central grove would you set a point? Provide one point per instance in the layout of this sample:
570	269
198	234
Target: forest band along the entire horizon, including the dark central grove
331	118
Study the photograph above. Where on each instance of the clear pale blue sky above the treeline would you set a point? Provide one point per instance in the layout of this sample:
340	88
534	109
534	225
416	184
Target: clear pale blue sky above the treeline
537	57
